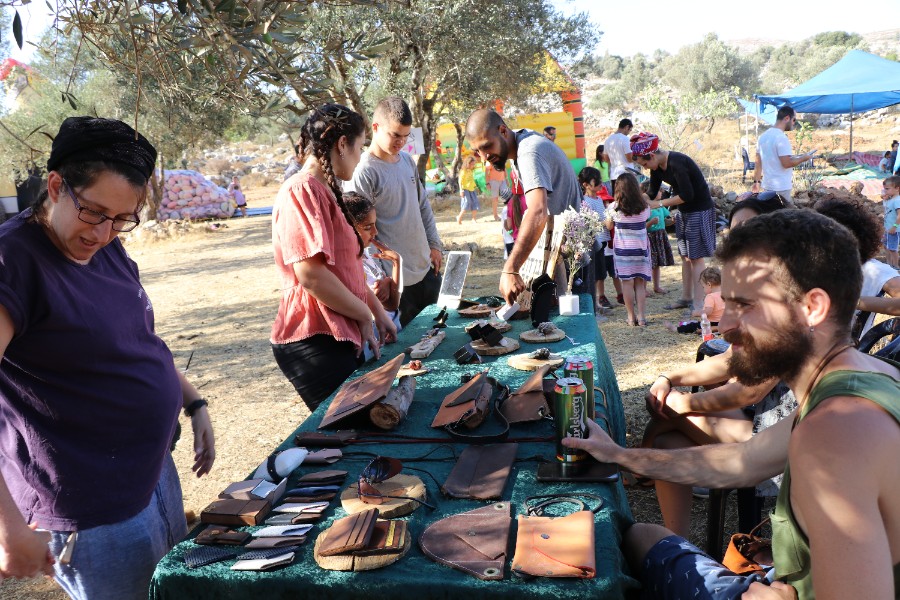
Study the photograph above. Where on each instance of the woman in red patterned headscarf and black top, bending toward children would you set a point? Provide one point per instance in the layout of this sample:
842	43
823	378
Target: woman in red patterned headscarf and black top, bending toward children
695	221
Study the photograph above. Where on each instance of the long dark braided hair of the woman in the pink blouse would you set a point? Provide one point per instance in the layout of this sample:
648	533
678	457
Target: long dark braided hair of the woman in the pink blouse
320	134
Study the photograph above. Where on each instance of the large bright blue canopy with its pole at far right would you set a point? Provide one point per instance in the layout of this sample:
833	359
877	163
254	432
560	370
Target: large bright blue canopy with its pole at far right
858	82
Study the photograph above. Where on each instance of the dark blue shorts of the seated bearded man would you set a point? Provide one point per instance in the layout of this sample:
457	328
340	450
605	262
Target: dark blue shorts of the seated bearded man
674	568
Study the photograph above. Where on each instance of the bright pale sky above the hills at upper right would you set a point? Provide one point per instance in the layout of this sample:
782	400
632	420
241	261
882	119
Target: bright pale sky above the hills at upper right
632	27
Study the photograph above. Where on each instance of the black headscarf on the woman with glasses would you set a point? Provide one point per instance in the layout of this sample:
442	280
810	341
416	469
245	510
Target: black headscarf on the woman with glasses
85	139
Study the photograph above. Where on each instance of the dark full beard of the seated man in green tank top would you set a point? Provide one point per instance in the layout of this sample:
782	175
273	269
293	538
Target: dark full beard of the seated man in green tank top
781	355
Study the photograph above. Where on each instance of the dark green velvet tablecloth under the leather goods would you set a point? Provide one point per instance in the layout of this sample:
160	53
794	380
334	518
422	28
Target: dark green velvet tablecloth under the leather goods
415	575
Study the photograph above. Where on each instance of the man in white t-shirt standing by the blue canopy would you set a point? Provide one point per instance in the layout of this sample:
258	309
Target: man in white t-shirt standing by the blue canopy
774	161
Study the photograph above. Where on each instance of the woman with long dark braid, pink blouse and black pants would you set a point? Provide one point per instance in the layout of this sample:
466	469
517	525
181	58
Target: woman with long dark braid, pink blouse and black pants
326	310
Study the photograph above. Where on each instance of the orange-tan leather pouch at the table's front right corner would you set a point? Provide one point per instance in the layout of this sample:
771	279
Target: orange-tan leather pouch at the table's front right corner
556	546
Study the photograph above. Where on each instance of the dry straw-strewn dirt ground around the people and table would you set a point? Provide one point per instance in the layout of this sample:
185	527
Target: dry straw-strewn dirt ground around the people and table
215	294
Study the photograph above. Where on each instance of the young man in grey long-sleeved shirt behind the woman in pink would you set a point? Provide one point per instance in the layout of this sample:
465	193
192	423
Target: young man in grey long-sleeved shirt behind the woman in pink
405	221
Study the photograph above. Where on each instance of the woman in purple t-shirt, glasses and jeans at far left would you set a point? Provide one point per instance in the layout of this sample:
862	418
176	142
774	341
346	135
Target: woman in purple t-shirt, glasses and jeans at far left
89	395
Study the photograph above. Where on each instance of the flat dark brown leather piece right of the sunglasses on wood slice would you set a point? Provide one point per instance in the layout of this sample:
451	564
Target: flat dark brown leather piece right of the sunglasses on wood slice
481	472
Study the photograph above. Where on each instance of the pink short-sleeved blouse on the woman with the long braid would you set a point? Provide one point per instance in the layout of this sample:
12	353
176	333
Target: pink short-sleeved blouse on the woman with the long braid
306	221
